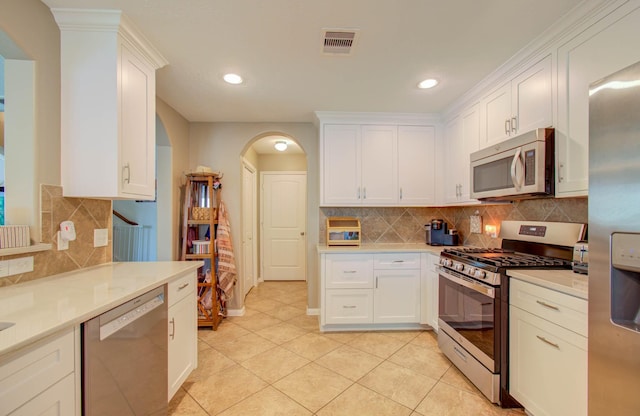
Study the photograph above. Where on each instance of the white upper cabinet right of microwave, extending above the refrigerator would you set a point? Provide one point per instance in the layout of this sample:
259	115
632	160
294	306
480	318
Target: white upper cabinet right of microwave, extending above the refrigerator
600	50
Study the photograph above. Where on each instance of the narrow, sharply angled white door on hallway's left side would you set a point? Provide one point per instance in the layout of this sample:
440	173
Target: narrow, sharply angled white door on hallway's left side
249	225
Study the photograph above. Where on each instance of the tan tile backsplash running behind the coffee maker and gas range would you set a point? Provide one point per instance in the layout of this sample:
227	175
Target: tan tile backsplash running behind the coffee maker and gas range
406	225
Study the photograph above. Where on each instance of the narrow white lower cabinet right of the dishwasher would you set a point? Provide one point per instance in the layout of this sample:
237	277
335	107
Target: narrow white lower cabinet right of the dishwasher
183	330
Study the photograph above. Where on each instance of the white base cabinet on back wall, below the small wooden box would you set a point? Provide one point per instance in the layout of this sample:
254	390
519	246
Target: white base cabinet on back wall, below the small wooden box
370	289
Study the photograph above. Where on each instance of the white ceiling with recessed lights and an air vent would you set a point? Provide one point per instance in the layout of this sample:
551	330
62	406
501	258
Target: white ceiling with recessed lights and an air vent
276	46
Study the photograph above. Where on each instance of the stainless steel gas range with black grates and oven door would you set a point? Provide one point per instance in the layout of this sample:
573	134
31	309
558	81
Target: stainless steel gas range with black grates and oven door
474	297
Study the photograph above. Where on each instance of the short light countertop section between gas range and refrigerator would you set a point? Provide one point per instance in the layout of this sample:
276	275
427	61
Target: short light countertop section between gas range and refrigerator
565	281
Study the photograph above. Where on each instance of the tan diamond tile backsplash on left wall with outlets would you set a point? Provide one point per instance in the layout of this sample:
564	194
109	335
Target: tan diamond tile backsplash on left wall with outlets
87	215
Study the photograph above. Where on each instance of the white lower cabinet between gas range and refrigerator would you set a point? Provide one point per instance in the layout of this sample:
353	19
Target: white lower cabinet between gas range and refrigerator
548	361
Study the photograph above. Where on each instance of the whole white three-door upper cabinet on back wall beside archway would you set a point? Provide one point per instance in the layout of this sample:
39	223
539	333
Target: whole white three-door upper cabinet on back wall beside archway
377	165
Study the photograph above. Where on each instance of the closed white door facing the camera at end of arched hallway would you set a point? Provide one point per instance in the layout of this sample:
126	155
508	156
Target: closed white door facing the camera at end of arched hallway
283	217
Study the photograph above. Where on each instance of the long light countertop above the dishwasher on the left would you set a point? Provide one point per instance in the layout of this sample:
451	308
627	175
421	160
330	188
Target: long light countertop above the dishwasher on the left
45	306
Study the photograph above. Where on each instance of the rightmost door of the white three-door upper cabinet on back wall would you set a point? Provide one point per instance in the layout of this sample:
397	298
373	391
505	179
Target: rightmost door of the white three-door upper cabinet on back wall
416	165
